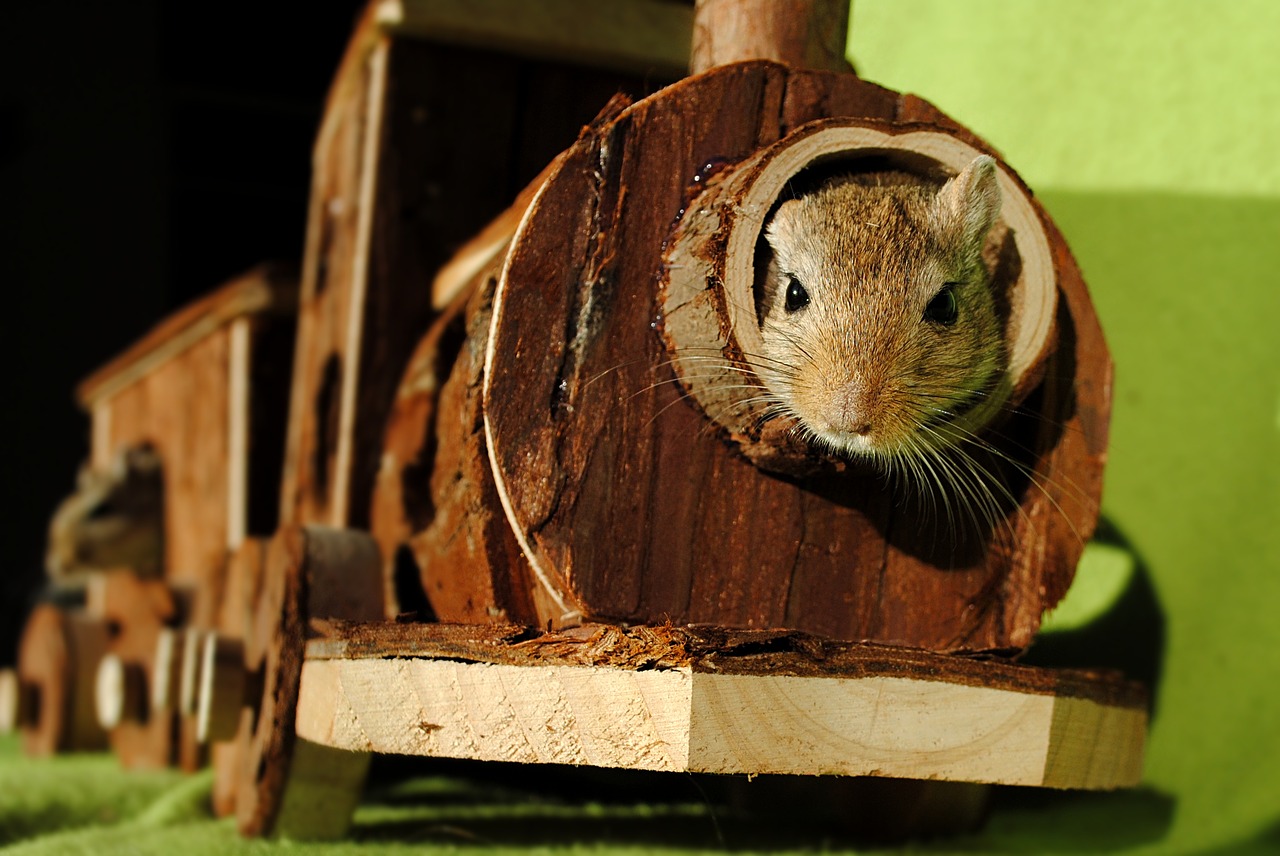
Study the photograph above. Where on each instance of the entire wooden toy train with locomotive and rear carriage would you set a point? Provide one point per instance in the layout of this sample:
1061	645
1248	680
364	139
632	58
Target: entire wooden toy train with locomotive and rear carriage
520	519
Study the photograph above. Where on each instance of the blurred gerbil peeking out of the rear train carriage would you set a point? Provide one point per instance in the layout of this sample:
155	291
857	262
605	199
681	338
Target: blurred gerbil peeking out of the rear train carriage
115	520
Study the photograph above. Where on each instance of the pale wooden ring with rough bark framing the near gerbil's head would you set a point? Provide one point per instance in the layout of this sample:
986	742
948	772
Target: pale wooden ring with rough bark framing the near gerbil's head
710	274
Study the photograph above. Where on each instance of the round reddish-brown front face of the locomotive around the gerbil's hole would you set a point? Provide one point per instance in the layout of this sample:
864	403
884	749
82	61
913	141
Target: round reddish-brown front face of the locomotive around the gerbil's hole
624	496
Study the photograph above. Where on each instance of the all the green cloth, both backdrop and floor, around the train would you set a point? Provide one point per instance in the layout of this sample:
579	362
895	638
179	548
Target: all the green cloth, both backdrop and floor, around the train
1151	129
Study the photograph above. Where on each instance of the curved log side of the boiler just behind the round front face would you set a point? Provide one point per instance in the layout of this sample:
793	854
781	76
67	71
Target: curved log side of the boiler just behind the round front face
436	505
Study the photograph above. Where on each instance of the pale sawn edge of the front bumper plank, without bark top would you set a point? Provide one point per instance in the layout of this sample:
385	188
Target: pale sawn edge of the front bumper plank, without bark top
685	720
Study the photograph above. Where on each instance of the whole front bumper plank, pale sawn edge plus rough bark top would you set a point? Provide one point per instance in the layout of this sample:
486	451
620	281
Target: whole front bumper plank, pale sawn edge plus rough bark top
716	703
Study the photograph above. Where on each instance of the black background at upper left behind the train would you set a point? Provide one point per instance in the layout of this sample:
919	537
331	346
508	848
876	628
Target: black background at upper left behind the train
148	153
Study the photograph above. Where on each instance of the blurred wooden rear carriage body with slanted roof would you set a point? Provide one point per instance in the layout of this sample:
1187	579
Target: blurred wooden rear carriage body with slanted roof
208	388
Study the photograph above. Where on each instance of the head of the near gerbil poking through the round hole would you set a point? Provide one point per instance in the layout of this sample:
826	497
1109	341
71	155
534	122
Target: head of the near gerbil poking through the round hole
877	319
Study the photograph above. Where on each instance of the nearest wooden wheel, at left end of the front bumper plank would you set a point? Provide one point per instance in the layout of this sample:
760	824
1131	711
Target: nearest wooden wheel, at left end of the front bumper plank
286	786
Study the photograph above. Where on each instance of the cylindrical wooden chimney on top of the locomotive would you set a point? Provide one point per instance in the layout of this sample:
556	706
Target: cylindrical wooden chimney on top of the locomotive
802	34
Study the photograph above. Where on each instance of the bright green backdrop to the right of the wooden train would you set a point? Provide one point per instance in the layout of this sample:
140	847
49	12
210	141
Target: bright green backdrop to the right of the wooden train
1151	130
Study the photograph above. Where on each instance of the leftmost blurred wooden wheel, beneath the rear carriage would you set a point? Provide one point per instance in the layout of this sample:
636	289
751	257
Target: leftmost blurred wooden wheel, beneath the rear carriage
52	690
